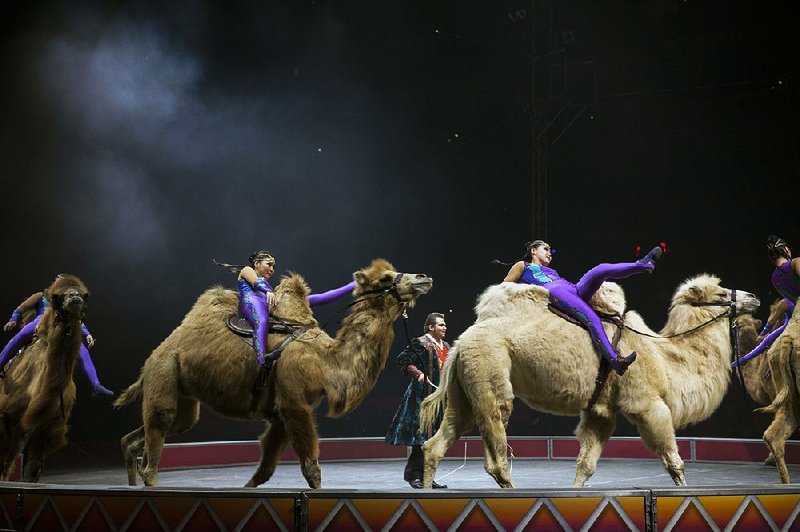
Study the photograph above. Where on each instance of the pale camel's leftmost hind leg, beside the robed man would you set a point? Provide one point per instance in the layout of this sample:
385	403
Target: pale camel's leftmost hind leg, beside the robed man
458	419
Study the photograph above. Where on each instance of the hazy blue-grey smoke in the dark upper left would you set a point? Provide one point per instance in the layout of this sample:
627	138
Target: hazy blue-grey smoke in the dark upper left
154	136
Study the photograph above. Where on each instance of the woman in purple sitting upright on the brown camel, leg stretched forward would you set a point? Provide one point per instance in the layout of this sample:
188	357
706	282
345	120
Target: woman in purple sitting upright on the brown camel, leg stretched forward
256	297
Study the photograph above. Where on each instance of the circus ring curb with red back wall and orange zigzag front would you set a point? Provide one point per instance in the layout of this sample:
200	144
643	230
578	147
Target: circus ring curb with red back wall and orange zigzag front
750	504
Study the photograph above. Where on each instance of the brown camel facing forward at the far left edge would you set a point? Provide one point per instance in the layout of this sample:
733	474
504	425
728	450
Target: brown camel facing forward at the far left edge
38	393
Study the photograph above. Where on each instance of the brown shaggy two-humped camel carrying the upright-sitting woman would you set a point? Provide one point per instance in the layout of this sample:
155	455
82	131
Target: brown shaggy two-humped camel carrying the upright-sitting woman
201	360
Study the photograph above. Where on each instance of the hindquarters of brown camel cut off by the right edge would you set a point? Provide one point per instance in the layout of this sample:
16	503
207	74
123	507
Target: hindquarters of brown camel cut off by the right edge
783	358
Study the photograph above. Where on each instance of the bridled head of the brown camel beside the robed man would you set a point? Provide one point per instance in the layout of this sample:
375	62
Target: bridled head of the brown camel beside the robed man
381	276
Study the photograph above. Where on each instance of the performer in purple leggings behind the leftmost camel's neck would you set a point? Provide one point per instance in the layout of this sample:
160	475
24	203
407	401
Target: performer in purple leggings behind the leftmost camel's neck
39	303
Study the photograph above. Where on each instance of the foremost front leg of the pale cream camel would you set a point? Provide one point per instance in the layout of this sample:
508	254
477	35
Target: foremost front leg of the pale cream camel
658	434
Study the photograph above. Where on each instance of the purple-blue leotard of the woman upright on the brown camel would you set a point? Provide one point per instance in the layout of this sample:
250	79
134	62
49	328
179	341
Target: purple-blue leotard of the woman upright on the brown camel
253	305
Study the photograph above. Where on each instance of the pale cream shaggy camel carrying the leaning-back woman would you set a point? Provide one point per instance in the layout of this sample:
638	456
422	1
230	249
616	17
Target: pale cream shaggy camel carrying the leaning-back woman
517	346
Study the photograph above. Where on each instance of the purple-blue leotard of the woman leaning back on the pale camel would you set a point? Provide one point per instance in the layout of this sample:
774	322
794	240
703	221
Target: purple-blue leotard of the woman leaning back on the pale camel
572	298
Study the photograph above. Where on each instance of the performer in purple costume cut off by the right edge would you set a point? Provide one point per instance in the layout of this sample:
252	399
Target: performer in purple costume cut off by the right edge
786	280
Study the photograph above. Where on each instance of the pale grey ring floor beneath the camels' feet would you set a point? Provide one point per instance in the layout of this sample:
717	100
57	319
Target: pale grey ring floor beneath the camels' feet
387	475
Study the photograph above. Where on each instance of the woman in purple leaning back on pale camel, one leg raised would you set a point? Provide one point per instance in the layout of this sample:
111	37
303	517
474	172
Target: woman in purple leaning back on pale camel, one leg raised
572	299
